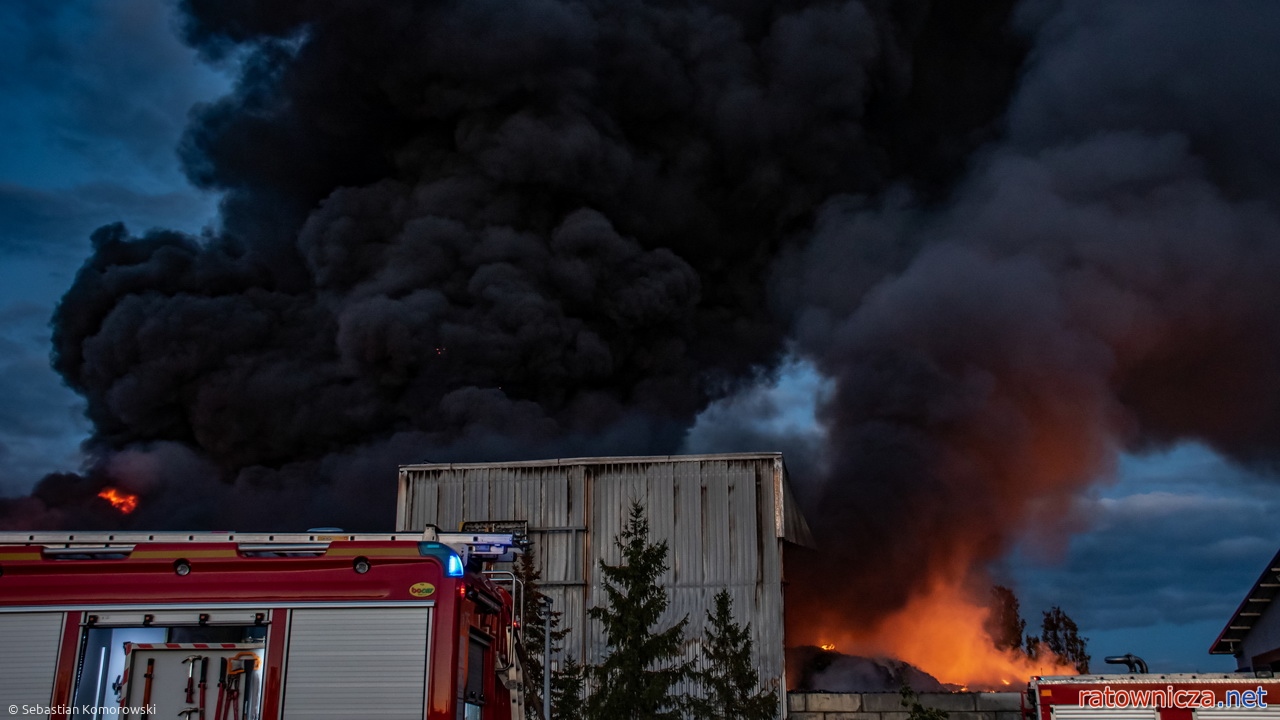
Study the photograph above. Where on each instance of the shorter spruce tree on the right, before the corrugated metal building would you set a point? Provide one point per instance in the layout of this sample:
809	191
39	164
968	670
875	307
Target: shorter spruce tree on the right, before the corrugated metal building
732	682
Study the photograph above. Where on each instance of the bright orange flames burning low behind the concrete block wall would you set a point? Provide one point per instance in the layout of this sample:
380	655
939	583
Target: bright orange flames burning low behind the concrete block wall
943	634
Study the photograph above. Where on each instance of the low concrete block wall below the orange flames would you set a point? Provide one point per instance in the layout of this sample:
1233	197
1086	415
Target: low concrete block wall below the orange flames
889	707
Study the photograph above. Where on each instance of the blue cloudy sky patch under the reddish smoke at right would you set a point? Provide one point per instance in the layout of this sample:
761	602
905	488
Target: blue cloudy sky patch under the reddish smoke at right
1155	558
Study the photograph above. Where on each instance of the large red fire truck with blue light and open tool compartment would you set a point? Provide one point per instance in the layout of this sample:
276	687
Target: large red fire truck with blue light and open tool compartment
259	627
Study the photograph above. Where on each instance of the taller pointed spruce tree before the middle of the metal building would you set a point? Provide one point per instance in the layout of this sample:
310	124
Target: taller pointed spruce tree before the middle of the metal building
637	681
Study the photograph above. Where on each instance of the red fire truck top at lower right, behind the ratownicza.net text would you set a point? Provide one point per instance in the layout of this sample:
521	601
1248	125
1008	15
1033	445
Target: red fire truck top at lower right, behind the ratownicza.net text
1151	696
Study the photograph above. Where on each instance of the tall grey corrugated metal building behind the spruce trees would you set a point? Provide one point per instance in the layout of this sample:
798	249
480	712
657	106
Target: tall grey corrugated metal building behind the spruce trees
724	517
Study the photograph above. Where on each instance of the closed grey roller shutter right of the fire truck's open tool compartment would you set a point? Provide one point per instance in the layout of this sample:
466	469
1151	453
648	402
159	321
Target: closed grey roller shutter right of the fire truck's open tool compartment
356	663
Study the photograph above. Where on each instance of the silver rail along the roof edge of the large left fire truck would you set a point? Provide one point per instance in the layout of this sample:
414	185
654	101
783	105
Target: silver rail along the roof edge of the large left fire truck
490	548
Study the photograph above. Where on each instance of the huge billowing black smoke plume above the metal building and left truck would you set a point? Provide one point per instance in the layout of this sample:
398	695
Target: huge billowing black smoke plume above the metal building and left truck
486	231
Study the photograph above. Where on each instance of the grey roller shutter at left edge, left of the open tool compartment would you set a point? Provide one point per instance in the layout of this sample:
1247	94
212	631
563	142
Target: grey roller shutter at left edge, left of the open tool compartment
30	657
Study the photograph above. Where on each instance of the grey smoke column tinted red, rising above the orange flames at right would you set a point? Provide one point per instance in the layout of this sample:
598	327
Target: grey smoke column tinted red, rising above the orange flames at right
1104	280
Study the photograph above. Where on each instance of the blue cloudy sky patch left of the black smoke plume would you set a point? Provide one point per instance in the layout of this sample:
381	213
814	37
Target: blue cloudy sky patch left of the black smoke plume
93	102
